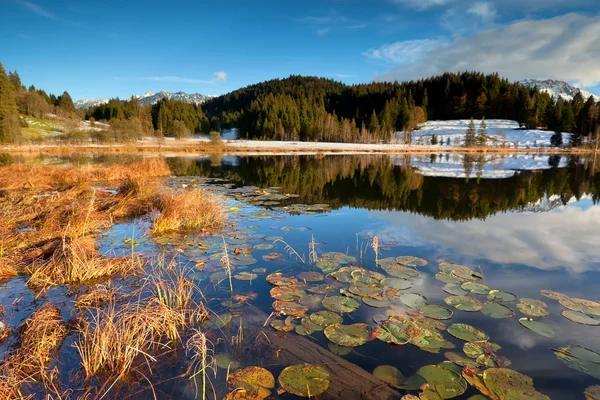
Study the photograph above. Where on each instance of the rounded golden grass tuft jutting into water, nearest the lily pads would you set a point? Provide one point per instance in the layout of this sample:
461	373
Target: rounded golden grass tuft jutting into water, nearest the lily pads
186	211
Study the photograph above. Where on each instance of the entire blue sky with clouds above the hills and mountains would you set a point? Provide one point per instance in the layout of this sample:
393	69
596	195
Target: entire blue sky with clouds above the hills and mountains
119	48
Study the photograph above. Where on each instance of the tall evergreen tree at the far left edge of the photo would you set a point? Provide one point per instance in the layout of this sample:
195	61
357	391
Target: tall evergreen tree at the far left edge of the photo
10	129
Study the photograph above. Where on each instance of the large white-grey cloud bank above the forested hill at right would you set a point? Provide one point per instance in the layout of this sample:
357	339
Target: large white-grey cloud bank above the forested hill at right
564	47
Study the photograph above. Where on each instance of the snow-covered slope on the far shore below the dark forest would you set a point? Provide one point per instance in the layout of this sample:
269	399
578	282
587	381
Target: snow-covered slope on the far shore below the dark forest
499	131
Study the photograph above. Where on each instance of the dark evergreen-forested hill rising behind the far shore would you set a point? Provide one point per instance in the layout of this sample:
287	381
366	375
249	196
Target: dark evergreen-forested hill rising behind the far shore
311	108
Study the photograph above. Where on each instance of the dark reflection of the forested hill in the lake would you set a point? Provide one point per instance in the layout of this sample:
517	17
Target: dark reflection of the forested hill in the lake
386	183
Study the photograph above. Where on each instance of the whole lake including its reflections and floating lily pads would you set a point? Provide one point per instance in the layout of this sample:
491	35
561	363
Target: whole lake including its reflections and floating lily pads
336	226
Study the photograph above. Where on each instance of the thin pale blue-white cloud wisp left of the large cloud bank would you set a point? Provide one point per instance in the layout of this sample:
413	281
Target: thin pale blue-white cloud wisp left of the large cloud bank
408	51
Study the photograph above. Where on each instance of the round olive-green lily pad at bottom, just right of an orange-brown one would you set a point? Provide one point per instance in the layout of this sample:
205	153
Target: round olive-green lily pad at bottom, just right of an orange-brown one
304	380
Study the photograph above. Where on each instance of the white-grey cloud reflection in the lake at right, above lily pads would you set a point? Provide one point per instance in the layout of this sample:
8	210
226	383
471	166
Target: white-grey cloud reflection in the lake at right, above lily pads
566	237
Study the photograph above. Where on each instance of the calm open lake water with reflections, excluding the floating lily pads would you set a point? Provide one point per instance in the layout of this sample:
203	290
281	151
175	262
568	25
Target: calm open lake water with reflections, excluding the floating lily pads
527	223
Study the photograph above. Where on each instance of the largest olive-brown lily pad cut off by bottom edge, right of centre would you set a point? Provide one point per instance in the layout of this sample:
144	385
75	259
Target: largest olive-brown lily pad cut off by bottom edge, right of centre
504	383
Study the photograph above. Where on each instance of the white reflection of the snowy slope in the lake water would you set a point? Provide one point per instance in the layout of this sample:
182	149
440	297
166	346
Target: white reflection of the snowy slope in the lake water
492	166
